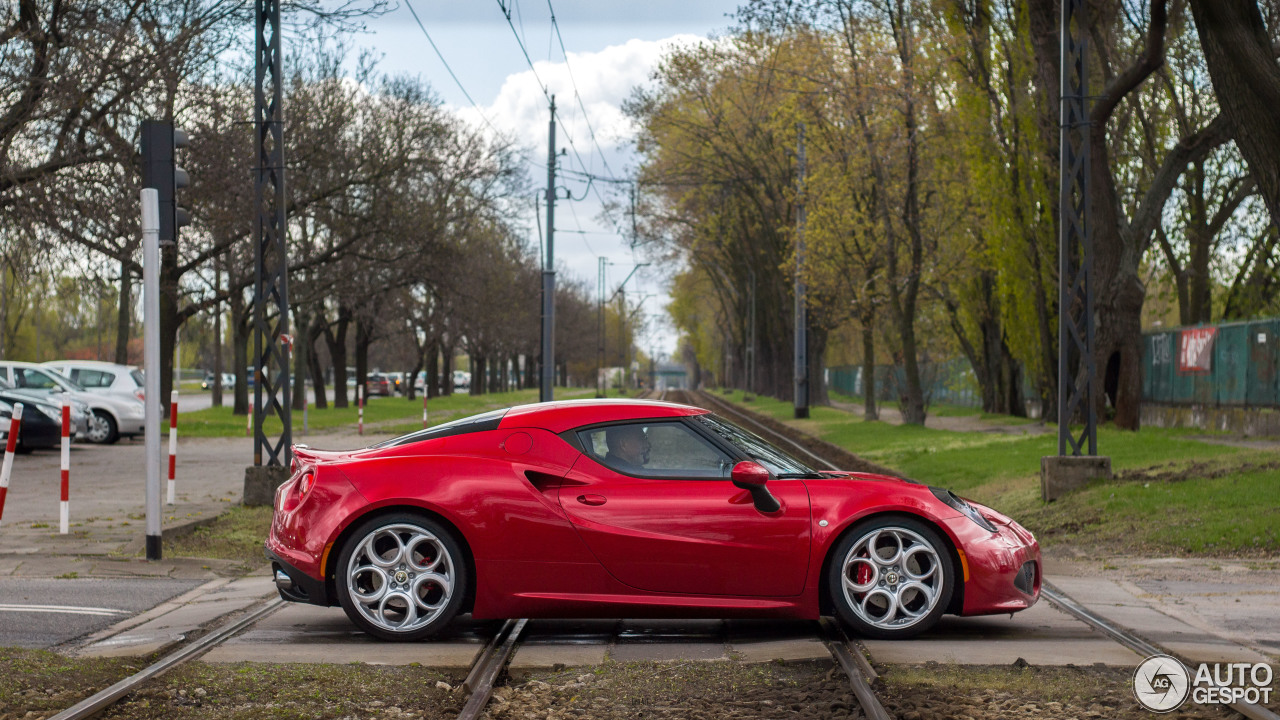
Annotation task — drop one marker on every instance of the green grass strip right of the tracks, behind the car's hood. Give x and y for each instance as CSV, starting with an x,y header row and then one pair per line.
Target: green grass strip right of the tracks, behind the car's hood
x,y
1200,499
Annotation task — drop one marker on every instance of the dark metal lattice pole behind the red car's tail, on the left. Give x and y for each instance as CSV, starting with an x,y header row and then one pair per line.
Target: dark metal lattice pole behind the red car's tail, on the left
x,y
272,397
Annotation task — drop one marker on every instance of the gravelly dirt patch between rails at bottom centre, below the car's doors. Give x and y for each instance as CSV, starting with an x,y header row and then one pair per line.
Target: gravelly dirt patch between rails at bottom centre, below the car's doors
x,y
685,691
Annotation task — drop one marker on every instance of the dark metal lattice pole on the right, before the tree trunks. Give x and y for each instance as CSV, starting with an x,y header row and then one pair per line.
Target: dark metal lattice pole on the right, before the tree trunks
x,y
1077,377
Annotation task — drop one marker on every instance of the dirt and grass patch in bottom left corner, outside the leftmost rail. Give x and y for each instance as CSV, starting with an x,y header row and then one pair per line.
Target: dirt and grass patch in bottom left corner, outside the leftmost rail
x,y
45,683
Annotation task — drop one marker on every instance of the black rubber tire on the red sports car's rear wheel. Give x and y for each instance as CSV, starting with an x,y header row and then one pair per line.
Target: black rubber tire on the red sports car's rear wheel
x,y
459,575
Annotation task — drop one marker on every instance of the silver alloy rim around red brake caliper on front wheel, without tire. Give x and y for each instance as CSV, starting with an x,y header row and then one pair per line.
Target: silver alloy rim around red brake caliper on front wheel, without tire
x,y
893,578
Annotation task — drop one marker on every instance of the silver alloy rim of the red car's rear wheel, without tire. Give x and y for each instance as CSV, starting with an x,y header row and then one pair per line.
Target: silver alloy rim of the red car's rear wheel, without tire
x,y
400,578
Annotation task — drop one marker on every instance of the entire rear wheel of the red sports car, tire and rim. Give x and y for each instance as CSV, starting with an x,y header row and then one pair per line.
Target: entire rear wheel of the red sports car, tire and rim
x,y
401,577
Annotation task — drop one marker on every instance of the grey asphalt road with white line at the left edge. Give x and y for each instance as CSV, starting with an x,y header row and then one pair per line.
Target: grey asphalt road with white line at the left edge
x,y
45,613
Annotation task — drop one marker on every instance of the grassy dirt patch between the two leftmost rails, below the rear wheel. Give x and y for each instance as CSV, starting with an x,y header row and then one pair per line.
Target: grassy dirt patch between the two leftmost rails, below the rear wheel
x,y
253,691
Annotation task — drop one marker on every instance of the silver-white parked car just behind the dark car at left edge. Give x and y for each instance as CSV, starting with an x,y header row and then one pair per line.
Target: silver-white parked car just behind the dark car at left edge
x,y
97,418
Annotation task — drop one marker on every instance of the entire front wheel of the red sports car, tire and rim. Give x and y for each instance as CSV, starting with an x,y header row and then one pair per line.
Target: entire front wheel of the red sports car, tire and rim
x,y
892,578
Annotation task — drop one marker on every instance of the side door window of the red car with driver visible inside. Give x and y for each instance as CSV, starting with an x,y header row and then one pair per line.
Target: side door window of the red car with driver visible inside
x,y
656,450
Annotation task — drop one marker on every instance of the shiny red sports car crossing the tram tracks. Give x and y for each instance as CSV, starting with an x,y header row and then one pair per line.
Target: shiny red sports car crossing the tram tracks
x,y
630,509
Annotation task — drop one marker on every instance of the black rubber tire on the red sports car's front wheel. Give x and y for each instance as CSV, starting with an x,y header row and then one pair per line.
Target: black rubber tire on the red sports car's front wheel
x,y
902,530
